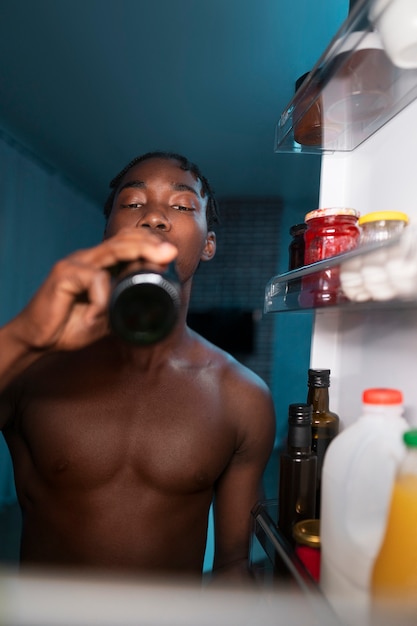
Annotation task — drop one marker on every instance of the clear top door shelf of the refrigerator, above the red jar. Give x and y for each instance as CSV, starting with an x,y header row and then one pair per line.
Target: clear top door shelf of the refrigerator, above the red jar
x,y
351,92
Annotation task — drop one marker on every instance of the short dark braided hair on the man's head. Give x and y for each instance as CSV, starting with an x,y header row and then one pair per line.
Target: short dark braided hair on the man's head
x,y
212,210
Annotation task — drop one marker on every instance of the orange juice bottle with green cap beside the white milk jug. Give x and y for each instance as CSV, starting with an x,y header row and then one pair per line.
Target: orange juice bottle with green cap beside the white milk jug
x,y
395,570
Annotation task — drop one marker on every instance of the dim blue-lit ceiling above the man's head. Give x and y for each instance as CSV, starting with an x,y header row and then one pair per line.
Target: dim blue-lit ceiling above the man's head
x,y
87,85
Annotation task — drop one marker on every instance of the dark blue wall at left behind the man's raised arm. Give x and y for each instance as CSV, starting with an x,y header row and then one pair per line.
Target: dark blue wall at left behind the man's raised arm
x,y
42,218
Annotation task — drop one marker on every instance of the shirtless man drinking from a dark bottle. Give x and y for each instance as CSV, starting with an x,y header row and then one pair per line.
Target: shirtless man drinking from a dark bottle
x,y
119,450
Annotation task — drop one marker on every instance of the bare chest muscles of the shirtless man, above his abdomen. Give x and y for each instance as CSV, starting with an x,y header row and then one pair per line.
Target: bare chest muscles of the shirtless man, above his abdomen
x,y
173,434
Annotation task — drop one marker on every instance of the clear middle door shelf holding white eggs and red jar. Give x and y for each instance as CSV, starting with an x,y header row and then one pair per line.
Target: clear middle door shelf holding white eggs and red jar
x,y
381,275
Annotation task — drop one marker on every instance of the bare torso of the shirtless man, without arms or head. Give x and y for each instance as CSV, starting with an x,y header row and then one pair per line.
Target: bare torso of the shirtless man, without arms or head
x,y
115,467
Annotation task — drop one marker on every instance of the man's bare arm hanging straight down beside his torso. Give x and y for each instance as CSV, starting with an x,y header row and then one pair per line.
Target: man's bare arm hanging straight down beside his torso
x,y
239,488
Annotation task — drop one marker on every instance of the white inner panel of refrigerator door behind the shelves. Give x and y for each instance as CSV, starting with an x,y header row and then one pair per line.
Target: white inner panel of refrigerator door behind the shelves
x,y
371,348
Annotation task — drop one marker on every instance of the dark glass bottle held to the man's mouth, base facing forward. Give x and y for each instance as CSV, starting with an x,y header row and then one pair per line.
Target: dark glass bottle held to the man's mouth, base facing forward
x,y
144,304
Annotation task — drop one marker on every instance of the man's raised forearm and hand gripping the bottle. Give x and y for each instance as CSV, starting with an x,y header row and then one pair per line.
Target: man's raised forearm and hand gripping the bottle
x,y
69,310
